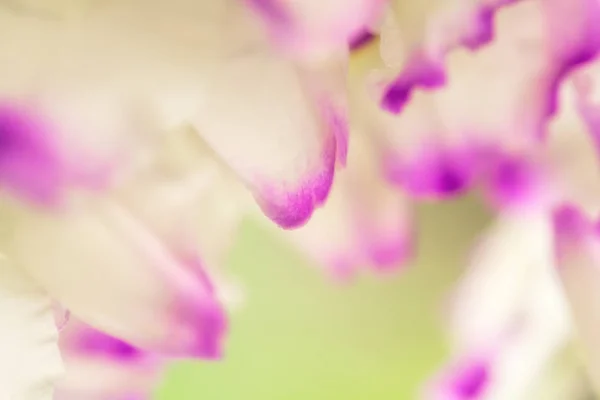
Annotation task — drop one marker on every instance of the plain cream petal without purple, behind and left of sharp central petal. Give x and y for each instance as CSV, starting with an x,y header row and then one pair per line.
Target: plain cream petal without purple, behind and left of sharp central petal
x,y
187,198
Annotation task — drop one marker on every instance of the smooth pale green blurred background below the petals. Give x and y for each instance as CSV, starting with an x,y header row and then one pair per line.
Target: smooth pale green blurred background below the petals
x,y
302,335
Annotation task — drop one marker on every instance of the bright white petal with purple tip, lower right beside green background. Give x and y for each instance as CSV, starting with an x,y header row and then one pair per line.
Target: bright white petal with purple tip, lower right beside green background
x,y
508,320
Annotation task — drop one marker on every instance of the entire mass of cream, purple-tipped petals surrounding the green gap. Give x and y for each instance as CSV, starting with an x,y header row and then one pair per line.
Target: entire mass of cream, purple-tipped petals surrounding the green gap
x,y
132,129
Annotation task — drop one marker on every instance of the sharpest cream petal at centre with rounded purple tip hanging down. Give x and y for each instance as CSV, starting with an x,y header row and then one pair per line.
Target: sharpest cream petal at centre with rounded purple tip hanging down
x,y
275,139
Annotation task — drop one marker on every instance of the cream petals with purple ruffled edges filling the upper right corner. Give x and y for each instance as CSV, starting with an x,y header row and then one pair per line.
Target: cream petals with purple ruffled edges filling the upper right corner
x,y
473,87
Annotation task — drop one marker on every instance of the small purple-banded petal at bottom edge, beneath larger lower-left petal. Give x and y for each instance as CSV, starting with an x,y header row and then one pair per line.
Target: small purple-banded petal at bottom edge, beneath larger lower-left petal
x,y
102,367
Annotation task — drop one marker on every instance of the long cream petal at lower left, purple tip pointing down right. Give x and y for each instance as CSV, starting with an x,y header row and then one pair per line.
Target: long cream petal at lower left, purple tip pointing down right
x,y
109,269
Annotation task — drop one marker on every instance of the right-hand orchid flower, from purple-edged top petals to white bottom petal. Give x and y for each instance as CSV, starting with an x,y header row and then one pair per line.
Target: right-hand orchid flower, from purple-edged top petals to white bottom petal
x,y
499,94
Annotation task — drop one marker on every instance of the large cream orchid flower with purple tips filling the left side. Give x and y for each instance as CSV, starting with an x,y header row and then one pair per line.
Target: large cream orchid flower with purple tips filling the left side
x,y
101,212
